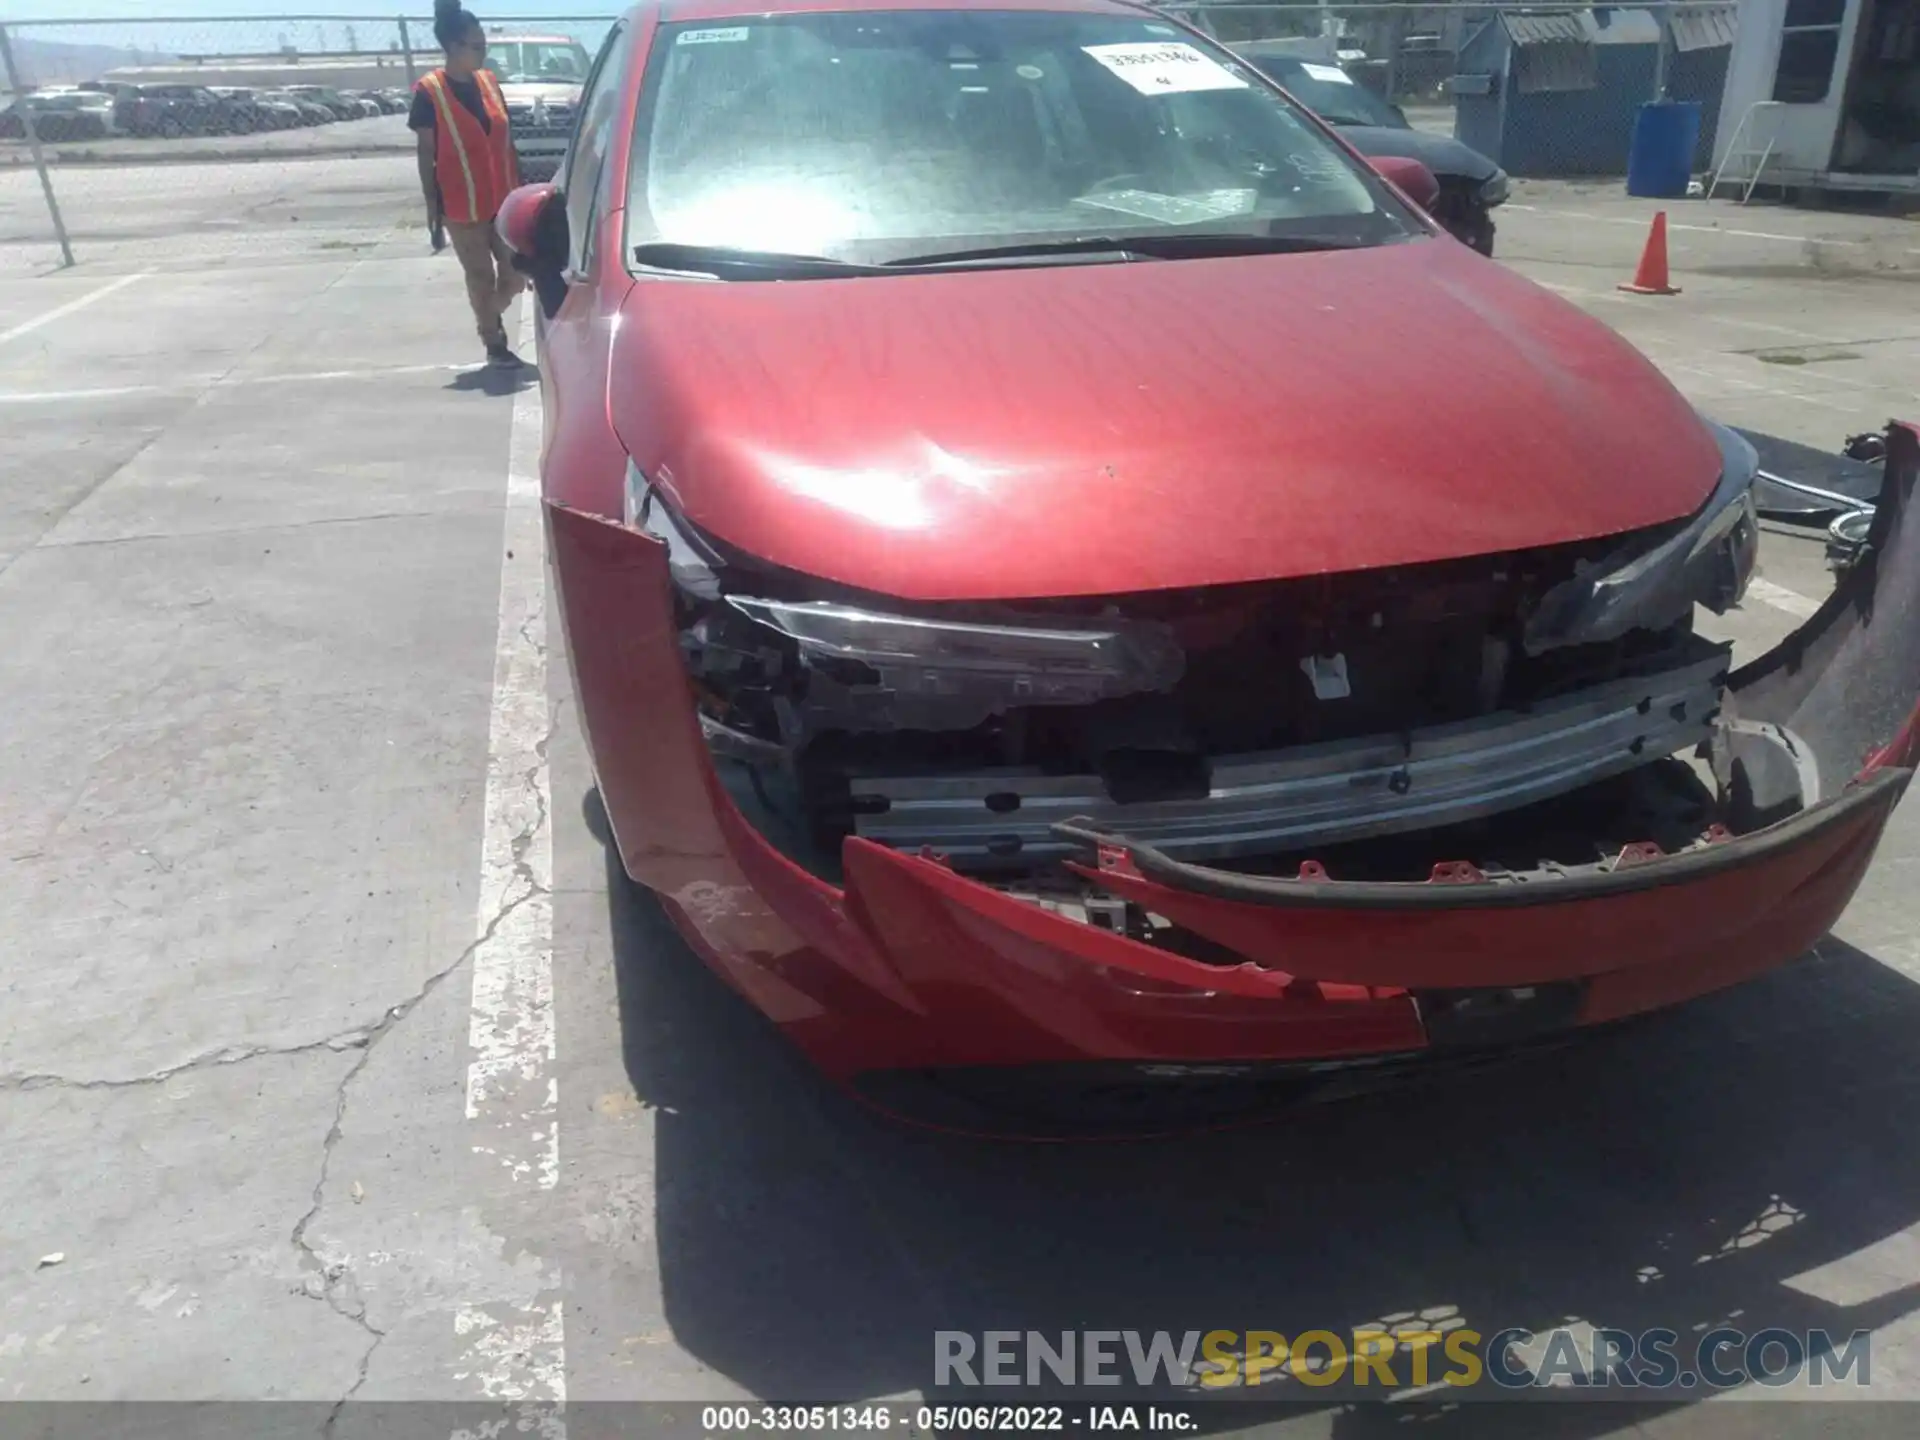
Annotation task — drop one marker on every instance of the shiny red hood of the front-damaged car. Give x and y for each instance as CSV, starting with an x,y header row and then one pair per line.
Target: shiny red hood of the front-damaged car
x,y
1109,429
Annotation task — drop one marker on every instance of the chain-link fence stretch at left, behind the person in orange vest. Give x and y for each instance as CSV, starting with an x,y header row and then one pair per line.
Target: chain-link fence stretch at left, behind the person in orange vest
x,y
189,143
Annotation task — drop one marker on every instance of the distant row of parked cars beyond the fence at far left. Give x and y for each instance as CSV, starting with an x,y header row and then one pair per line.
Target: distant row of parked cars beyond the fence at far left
x,y
99,110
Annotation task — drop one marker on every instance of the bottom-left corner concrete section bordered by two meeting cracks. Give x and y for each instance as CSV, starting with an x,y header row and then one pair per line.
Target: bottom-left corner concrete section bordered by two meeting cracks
x,y
178,1282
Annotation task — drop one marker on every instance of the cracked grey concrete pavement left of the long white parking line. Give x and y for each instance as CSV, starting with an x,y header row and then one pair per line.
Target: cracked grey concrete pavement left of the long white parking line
x,y
239,813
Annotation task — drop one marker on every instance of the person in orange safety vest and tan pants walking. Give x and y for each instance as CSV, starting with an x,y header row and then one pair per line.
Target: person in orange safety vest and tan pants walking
x,y
468,170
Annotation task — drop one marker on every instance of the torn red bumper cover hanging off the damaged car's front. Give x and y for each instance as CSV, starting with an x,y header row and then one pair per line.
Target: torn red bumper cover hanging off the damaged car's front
x,y
913,967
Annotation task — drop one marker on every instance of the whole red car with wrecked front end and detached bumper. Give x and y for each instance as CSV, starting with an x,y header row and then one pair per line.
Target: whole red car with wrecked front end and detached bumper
x,y
1078,588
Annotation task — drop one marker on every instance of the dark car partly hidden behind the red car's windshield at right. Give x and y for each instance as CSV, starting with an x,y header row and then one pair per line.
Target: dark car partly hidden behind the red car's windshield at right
x,y
1472,187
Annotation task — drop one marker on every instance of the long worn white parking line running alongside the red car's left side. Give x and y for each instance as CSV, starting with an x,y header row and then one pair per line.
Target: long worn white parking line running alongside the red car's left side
x,y
512,1082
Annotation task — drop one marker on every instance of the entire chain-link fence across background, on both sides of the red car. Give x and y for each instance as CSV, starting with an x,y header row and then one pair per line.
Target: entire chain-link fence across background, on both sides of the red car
x,y
126,133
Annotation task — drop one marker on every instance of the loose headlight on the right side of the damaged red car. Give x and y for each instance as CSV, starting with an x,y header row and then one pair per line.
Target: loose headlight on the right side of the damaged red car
x,y
1648,587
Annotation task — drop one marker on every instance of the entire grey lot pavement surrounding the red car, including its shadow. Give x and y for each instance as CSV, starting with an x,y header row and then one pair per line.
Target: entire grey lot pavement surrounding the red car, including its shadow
x,y
337,1061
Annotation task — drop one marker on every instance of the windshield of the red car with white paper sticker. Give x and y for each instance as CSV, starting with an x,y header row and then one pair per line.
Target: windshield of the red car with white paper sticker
x,y
882,137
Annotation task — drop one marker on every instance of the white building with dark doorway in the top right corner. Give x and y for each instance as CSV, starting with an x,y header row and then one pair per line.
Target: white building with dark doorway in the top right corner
x,y
1836,85
